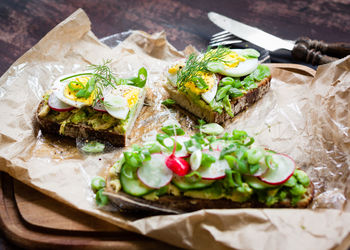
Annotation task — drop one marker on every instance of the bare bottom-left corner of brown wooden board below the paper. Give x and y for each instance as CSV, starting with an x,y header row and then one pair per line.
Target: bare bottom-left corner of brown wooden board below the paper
x,y
32,220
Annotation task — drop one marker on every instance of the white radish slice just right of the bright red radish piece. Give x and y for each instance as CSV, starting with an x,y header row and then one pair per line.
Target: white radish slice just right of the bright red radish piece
x,y
216,169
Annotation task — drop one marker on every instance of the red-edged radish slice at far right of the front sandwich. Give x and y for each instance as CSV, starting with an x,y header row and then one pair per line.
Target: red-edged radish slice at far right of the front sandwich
x,y
279,175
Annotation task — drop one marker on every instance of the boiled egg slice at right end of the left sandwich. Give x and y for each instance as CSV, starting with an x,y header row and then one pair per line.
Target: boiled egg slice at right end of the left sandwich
x,y
118,101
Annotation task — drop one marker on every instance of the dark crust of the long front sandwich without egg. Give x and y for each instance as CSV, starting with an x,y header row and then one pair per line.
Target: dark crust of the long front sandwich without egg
x,y
181,204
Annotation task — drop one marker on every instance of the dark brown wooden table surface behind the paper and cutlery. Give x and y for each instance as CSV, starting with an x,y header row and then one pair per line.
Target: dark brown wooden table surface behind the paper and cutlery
x,y
24,23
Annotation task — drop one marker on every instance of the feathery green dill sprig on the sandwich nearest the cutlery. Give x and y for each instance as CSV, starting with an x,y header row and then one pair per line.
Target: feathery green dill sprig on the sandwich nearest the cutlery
x,y
196,64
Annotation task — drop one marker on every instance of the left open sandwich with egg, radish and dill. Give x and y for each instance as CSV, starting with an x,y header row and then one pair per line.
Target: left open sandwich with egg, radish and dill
x,y
94,105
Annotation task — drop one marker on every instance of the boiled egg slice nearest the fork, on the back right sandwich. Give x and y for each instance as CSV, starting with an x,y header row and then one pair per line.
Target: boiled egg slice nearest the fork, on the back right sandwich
x,y
237,63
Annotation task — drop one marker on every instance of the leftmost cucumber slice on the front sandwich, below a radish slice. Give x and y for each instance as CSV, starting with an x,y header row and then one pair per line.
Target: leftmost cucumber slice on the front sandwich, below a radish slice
x,y
133,186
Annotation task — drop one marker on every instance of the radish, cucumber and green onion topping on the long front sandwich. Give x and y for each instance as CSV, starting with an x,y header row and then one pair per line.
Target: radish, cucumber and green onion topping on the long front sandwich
x,y
219,166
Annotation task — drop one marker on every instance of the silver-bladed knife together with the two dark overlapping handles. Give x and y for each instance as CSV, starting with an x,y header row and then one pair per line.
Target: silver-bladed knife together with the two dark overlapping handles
x,y
305,49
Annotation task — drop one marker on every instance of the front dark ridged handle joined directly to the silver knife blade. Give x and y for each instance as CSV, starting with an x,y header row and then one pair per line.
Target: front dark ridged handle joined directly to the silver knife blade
x,y
303,53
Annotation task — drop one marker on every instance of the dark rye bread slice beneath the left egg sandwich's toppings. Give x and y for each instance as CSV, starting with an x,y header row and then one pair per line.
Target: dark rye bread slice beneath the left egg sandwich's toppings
x,y
86,131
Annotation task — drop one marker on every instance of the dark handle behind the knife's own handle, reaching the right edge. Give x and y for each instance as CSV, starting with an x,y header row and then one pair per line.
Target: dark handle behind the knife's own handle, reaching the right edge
x,y
339,50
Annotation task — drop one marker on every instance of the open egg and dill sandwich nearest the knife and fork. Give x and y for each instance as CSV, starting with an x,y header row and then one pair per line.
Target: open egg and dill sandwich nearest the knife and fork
x,y
218,84
